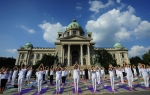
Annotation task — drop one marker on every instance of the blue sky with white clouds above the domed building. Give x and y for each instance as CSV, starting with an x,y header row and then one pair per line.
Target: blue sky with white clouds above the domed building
x,y
110,21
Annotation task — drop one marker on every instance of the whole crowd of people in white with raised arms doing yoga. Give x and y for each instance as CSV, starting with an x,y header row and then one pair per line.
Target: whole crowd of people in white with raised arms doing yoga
x,y
96,74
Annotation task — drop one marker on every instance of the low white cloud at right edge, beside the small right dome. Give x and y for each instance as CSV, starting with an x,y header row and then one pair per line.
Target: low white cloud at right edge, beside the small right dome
x,y
138,50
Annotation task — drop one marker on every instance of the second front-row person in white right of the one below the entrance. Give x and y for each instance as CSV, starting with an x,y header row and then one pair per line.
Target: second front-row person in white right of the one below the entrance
x,y
111,75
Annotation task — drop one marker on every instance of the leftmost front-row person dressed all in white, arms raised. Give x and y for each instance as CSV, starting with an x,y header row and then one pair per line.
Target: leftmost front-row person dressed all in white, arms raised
x,y
21,77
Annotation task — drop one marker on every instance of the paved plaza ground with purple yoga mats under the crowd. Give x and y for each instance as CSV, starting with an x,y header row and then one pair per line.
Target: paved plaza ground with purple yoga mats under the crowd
x,y
68,89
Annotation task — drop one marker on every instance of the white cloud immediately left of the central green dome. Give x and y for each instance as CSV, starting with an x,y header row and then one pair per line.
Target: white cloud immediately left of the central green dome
x,y
50,30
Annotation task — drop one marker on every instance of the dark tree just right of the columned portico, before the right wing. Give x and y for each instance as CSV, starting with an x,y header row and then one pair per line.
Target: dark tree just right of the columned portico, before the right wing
x,y
106,58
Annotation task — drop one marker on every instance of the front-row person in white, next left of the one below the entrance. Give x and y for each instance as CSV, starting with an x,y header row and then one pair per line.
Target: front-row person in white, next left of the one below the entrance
x,y
58,79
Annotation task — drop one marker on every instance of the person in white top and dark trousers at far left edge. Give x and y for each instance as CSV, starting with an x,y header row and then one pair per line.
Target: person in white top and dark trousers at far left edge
x,y
4,78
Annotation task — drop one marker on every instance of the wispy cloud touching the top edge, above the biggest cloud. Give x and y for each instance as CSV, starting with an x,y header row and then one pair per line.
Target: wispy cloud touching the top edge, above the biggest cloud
x,y
95,6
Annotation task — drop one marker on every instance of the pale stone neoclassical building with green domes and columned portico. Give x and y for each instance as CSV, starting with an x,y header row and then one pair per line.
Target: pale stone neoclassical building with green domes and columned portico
x,y
71,45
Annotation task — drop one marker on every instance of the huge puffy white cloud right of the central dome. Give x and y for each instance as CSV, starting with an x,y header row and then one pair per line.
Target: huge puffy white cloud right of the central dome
x,y
118,26
